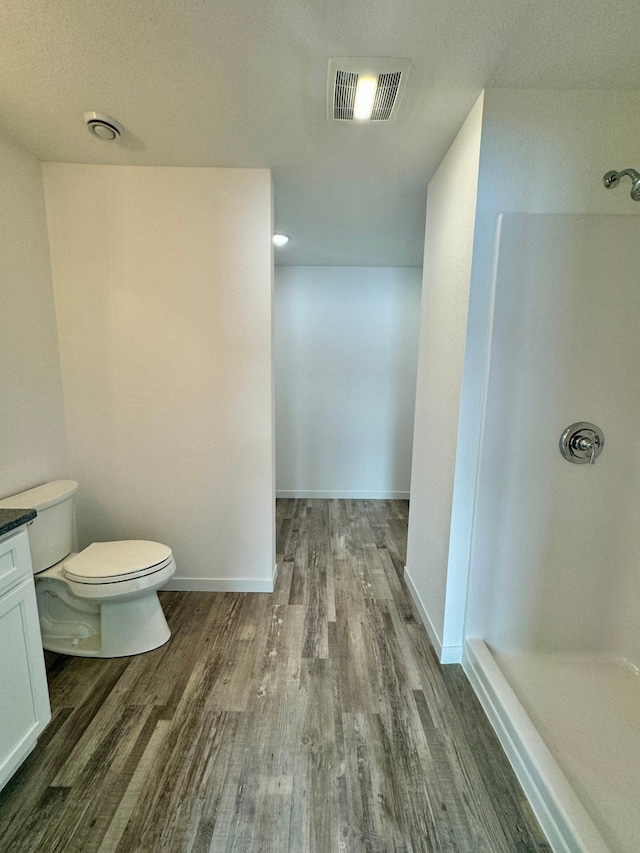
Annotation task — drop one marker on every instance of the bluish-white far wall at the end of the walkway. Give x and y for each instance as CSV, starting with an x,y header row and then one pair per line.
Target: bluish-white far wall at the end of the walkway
x,y
346,342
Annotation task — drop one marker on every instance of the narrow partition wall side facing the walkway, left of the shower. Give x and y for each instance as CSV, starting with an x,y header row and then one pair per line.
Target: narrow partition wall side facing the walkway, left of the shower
x,y
435,573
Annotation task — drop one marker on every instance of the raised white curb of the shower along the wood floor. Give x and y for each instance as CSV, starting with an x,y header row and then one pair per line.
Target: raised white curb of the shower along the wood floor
x,y
563,818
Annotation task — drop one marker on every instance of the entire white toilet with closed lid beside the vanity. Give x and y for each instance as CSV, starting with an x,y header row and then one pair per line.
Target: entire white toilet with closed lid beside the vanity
x,y
103,601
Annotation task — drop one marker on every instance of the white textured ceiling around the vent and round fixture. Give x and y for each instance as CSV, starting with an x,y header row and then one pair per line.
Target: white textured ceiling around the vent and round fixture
x,y
243,83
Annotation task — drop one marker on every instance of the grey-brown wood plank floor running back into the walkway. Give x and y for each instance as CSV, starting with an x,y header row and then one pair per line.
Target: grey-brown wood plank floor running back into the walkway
x,y
314,719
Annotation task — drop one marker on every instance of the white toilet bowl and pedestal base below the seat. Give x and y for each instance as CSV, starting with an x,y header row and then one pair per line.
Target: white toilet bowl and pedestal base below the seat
x,y
106,630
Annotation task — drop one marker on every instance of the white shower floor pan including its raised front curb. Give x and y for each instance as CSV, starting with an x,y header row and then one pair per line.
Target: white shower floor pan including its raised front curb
x,y
571,727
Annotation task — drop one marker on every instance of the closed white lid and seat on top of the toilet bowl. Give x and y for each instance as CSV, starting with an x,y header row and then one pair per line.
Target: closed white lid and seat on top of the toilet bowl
x,y
124,560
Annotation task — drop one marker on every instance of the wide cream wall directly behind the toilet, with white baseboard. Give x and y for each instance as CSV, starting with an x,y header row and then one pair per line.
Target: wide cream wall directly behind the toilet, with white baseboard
x,y
163,280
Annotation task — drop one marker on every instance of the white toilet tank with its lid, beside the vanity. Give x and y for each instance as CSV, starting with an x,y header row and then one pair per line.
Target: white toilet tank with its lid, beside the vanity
x,y
51,532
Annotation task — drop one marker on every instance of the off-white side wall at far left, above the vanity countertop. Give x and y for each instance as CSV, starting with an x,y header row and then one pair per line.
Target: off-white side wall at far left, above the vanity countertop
x,y
33,447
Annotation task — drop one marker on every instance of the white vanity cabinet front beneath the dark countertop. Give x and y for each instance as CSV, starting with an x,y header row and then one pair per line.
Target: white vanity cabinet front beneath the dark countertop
x,y
24,697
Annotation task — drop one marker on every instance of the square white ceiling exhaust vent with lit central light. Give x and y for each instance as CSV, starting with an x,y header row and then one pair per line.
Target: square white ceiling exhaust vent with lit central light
x,y
365,89
